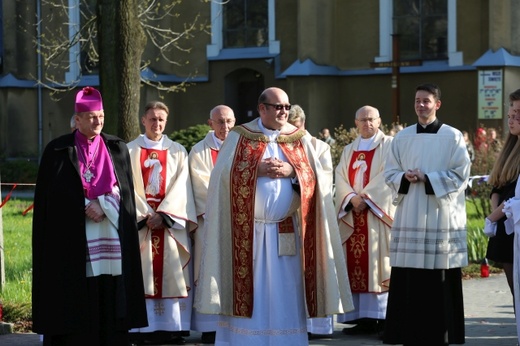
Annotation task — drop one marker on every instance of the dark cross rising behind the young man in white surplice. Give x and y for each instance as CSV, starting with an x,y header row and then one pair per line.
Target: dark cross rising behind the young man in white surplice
x,y
395,64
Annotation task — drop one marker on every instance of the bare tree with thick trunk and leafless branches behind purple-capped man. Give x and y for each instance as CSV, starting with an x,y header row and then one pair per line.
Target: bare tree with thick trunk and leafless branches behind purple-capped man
x,y
109,37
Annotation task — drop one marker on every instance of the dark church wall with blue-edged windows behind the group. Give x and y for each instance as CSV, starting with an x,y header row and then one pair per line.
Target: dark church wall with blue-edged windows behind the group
x,y
331,56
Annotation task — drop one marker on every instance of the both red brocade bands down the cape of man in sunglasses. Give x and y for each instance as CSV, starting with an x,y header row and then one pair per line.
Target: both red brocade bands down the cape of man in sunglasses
x,y
244,173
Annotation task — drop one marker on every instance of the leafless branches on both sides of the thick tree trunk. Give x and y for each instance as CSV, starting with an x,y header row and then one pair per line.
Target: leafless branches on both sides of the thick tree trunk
x,y
68,37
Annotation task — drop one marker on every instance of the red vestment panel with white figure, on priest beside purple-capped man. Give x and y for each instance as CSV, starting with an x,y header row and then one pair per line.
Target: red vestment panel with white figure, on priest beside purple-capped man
x,y
153,167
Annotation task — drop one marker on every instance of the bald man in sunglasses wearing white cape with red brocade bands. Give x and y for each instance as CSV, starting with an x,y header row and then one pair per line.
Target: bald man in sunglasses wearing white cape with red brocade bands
x,y
272,254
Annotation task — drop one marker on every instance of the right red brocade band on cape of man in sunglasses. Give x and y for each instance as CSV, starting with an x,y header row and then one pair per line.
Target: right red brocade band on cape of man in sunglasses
x,y
295,153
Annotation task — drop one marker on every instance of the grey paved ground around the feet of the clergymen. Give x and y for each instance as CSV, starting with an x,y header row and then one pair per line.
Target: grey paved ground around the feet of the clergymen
x,y
488,309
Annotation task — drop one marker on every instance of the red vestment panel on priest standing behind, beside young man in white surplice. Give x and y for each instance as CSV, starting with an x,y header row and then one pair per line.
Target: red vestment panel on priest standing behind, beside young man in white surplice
x,y
357,246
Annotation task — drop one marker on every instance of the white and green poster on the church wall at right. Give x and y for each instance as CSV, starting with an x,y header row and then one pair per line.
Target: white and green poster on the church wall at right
x,y
490,94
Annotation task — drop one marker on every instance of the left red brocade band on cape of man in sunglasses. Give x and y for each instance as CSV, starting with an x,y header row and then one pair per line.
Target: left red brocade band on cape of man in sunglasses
x,y
243,184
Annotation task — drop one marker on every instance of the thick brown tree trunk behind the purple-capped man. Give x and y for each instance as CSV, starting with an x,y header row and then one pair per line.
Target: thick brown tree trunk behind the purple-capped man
x,y
121,45
